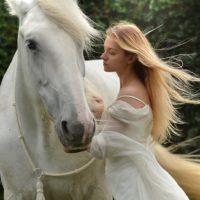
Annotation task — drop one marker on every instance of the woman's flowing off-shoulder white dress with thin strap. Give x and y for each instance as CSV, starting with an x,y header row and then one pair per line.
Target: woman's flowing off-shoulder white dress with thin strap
x,y
132,170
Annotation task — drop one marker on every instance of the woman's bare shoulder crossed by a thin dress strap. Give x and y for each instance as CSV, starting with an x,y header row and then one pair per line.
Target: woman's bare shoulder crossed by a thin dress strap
x,y
140,94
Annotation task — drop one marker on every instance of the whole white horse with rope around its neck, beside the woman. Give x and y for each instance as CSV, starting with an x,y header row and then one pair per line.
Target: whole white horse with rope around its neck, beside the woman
x,y
43,107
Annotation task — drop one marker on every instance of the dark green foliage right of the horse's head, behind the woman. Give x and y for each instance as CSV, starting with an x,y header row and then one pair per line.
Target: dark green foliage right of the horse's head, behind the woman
x,y
180,23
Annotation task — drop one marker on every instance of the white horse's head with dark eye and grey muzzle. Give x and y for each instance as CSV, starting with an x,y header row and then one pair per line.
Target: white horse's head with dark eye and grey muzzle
x,y
51,39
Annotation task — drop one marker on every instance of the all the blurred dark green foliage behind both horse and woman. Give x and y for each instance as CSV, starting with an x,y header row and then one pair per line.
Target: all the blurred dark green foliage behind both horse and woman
x,y
179,20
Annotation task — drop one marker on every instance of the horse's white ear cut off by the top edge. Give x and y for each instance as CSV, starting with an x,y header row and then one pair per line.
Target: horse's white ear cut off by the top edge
x,y
19,7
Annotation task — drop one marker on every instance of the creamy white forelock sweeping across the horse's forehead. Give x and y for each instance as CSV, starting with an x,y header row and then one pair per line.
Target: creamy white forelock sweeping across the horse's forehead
x,y
67,15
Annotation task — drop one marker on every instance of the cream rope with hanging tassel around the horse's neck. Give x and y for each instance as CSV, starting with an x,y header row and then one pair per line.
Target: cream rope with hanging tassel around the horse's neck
x,y
39,173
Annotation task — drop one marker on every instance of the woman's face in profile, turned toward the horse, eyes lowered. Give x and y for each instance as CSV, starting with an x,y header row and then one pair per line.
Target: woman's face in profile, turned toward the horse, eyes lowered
x,y
114,58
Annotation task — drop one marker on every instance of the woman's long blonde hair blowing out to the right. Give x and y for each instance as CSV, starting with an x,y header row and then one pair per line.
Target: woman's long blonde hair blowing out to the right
x,y
167,86
